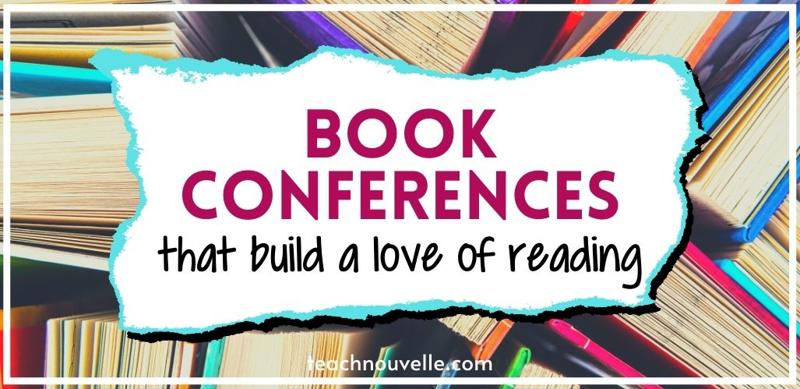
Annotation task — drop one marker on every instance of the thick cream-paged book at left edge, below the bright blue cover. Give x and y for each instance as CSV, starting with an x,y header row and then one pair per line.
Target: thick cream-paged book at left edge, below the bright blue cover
x,y
87,186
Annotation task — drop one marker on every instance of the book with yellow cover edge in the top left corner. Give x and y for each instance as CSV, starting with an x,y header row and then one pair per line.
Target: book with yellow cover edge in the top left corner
x,y
71,38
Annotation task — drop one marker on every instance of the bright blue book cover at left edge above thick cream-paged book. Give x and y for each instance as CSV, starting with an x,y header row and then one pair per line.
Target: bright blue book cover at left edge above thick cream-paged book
x,y
53,80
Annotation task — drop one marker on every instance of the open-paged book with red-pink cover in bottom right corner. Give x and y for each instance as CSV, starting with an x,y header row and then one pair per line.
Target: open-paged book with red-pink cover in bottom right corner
x,y
702,322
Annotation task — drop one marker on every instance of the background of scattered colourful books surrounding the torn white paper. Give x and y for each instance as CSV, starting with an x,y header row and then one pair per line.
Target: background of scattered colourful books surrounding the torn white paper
x,y
723,307
